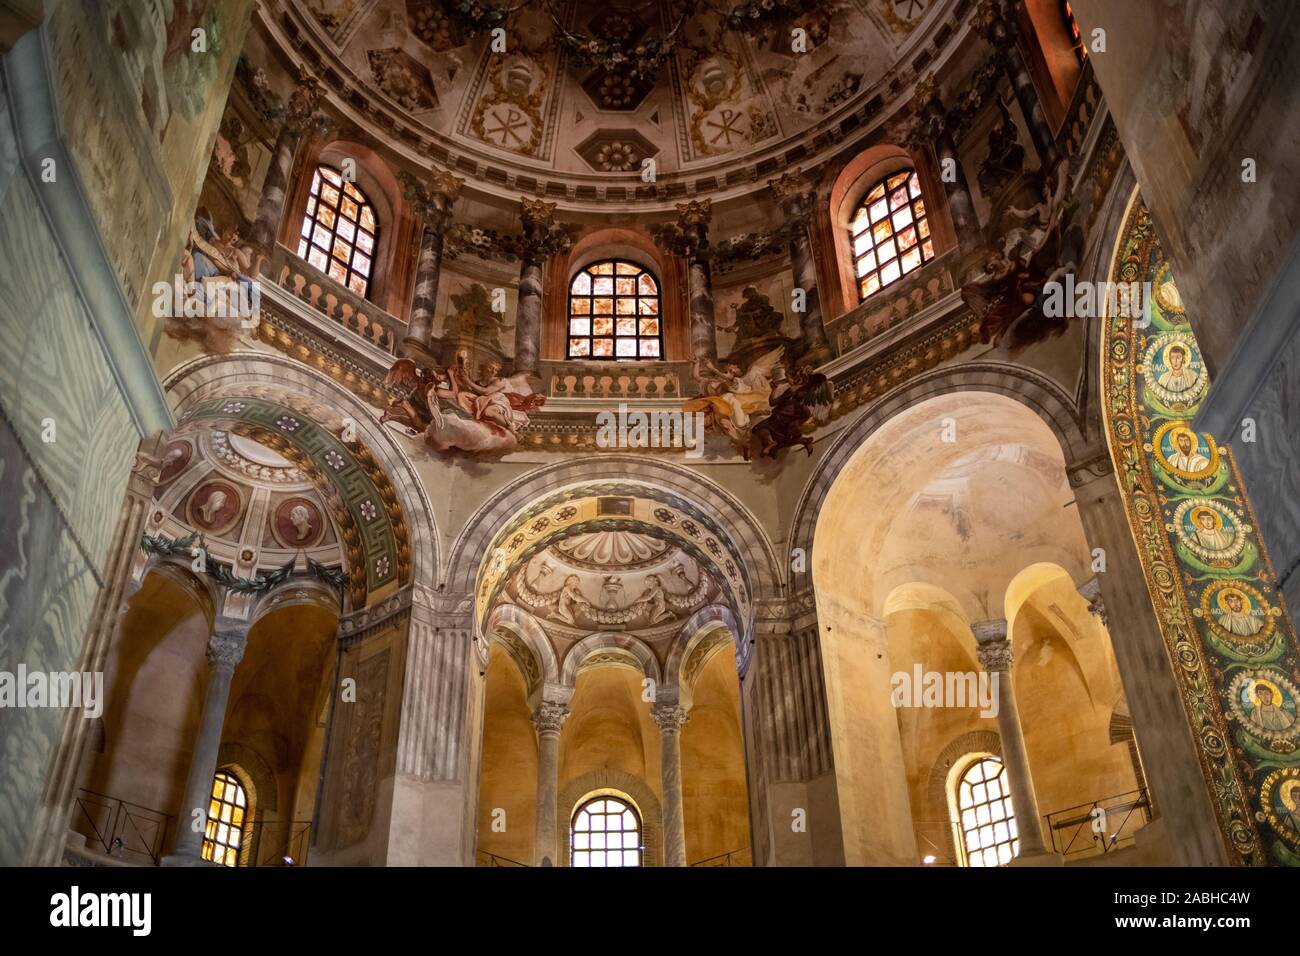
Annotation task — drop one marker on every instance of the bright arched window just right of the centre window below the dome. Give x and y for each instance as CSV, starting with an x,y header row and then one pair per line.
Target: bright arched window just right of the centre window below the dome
x,y
890,233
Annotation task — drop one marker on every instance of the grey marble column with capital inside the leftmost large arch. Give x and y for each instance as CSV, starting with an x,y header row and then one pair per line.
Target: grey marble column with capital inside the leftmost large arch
x,y
226,650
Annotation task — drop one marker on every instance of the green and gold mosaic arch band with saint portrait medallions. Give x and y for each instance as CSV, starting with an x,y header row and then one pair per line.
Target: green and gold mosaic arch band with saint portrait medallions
x,y
1210,577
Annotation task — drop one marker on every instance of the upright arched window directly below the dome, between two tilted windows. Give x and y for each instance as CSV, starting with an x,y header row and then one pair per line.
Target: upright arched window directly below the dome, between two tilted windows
x,y
614,313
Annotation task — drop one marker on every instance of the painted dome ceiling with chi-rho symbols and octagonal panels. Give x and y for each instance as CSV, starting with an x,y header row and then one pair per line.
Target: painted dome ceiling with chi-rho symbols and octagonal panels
x,y
596,89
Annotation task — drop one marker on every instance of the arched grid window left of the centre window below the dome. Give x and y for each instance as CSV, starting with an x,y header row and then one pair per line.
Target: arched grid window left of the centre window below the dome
x,y
340,233
